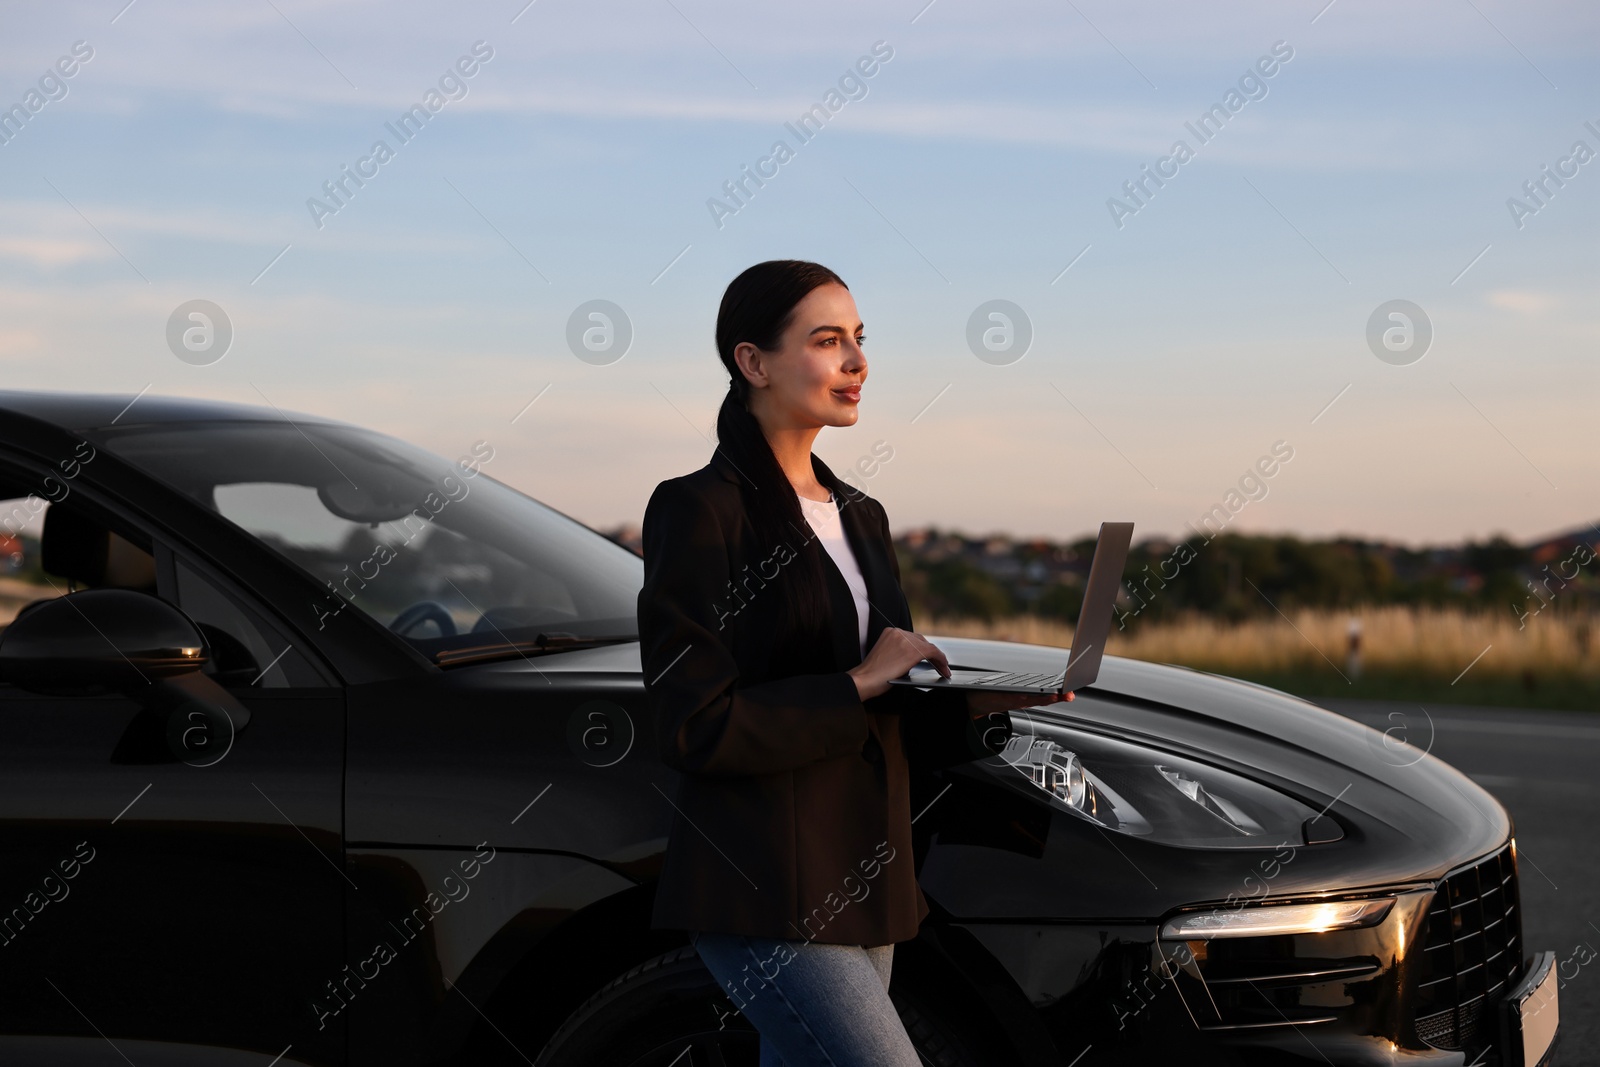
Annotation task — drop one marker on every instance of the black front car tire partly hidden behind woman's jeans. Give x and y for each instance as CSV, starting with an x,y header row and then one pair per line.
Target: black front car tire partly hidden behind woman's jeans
x,y
650,1015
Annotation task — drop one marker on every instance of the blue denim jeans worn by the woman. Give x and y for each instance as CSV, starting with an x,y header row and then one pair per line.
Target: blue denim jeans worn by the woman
x,y
814,1005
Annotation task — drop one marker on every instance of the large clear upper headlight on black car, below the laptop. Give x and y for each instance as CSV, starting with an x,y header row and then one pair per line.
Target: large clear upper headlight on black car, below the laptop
x,y
1145,793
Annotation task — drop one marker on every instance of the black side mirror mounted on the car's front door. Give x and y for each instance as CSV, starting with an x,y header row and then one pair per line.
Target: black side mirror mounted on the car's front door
x,y
118,641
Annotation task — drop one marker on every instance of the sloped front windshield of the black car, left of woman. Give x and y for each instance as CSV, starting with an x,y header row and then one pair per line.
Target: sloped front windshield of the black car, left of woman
x,y
436,551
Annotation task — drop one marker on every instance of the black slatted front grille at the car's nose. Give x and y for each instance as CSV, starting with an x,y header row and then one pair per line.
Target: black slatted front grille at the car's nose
x,y
1473,953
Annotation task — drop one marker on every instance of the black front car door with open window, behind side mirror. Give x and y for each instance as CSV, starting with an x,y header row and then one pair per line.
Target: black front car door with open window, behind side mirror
x,y
182,911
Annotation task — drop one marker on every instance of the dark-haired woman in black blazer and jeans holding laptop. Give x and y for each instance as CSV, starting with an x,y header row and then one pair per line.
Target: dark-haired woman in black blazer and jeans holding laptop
x,y
772,621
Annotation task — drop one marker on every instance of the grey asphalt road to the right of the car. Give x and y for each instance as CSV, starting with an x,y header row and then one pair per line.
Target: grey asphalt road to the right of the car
x,y
1545,767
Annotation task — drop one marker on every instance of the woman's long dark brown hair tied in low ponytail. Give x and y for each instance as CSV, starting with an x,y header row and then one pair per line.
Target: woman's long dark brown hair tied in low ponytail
x,y
759,308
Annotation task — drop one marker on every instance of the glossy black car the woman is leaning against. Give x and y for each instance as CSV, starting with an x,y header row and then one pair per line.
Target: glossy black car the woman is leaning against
x,y
321,749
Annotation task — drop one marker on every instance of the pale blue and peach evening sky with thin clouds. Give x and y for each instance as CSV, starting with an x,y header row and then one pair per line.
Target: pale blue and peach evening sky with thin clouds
x,y
1177,335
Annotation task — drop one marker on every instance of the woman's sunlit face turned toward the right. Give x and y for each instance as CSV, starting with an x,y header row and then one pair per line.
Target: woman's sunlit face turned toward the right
x,y
815,375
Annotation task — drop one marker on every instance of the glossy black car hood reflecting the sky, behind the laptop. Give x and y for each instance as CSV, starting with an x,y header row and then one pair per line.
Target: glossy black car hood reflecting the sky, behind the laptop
x,y
1409,817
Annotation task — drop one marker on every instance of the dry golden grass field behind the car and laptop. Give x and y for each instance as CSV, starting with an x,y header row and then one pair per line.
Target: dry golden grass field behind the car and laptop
x,y
1406,653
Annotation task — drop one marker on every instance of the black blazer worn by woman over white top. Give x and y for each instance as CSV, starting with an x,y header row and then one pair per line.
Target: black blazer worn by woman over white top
x,y
793,807
